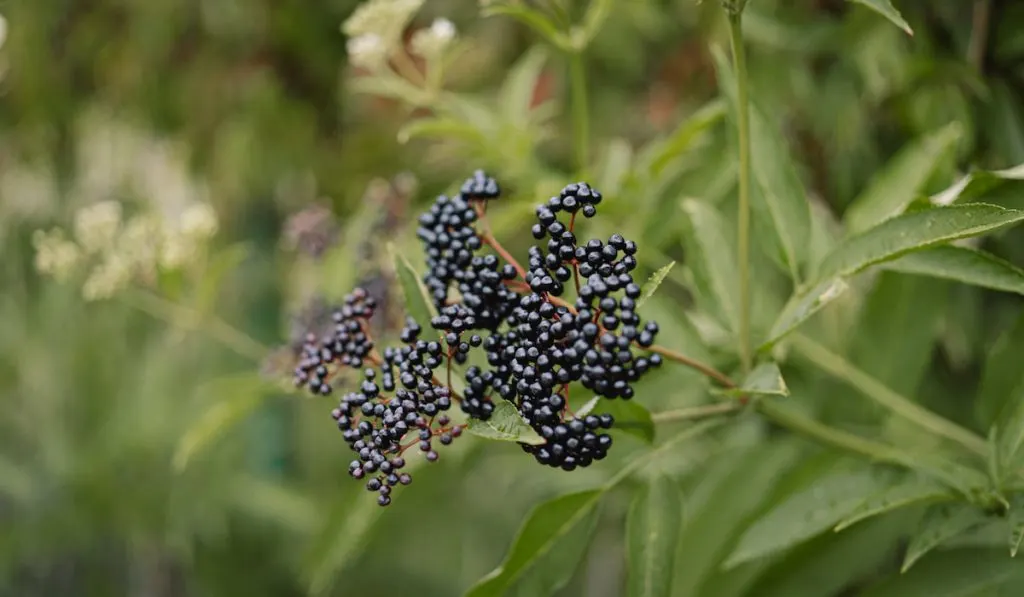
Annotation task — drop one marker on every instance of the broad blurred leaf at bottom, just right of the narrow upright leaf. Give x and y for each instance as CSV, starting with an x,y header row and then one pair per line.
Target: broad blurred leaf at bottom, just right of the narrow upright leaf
x,y
727,497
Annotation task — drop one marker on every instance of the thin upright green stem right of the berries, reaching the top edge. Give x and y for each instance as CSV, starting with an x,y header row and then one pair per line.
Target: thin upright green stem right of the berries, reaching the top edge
x,y
744,218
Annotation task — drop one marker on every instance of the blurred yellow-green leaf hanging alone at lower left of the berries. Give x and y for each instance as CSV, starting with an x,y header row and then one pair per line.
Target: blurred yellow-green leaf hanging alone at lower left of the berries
x,y
232,400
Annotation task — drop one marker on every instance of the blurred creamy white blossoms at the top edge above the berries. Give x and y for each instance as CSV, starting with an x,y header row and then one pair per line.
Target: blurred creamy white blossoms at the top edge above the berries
x,y
375,31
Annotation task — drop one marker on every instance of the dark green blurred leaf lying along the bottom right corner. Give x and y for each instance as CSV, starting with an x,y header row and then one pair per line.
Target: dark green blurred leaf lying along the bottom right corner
x,y
962,573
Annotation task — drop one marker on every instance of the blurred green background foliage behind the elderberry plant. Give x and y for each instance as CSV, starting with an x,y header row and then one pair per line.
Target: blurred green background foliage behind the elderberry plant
x,y
249,105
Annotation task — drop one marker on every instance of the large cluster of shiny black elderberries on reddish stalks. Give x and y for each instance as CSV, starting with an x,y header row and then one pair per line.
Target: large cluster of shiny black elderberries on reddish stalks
x,y
537,343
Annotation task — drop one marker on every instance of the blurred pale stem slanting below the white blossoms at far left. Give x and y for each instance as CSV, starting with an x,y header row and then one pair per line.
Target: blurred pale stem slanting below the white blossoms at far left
x,y
190,320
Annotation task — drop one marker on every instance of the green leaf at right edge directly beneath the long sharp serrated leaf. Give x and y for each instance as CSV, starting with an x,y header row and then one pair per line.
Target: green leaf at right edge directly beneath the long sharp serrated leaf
x,y
964,266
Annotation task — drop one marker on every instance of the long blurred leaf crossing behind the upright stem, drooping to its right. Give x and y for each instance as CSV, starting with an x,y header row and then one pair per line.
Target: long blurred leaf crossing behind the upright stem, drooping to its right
x,y
782,200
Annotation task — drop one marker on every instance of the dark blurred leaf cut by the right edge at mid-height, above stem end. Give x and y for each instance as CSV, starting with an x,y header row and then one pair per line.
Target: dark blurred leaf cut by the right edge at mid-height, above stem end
x,y
1002,376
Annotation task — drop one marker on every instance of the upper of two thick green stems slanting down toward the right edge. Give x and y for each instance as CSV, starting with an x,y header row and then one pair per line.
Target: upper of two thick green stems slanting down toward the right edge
x,y
899,405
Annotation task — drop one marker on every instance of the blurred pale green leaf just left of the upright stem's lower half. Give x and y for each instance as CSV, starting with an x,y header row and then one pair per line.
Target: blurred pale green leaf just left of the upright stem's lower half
x,y
712,262
